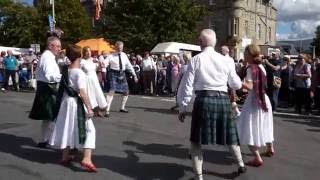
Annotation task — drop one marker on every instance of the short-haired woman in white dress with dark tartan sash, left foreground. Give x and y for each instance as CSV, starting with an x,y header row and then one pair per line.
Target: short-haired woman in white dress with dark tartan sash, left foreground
x,y
74,127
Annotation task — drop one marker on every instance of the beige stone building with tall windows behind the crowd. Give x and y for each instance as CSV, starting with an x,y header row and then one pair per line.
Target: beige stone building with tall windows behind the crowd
x,y
238,23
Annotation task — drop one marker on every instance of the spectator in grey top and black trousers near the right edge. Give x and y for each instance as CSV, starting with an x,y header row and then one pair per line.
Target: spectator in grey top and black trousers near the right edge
x,y
302,84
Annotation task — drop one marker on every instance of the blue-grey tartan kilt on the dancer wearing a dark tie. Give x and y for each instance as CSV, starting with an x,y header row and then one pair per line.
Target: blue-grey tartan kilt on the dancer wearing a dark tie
x,y
117,81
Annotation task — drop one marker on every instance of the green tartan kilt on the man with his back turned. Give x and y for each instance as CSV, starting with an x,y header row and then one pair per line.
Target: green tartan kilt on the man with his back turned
x,y
212,121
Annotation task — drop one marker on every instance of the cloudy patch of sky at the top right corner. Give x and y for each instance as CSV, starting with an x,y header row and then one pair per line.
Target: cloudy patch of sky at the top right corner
x,y
303,16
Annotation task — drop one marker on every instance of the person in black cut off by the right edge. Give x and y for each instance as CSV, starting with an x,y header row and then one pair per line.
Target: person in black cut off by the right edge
x,y
315,85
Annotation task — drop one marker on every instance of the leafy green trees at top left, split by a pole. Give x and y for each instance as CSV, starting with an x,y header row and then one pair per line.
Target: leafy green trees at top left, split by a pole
x,y
22,25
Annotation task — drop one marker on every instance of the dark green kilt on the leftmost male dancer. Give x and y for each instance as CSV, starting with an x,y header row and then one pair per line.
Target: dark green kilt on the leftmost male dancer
x,y
44,104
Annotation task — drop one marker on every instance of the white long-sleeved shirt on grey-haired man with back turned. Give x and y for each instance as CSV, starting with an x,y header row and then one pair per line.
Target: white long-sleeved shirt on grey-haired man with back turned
x,y
207,71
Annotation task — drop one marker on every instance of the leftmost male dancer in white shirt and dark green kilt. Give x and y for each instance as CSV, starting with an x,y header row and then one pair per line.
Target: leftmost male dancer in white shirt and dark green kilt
x,y
47,76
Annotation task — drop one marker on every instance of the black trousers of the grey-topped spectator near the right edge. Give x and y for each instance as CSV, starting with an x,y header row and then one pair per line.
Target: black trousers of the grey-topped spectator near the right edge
x,y
302,96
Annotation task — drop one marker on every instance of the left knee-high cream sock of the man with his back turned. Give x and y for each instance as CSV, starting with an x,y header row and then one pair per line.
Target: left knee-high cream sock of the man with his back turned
x,y
197,159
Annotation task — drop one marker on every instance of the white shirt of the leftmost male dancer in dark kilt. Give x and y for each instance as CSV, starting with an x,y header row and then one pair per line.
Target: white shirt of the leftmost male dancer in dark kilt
x,y
48,69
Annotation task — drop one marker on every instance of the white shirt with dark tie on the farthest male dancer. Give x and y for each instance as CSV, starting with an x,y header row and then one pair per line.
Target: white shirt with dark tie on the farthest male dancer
x,y
113,62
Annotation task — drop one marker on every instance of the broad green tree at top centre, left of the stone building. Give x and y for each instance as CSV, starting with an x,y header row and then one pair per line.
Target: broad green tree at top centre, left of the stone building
x,y
141,24
